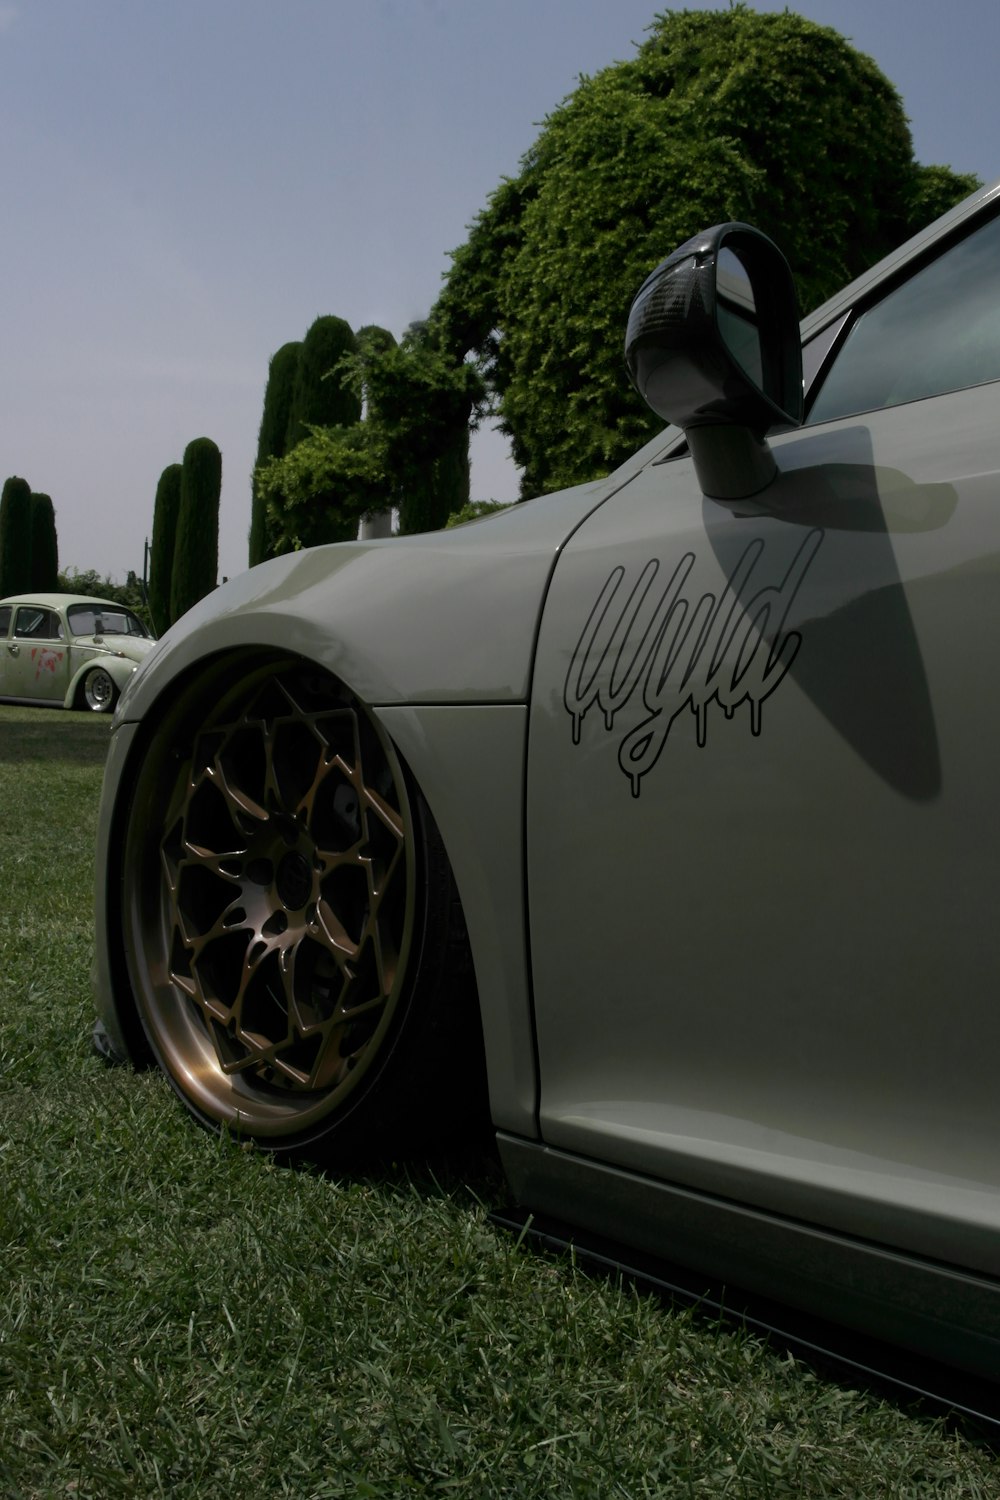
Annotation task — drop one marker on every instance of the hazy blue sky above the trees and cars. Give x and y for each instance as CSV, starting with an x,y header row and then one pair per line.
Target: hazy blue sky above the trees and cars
x,y
188,184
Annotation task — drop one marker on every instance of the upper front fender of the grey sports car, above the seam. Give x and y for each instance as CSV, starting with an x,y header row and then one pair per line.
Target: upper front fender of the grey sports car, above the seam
x,y
445,617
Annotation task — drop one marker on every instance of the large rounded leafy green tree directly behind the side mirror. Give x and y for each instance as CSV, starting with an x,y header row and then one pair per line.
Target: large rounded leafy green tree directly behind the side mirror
x,y
728,115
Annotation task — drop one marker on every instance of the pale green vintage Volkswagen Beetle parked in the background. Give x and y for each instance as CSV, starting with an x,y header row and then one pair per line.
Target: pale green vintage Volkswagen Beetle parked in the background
x,y
68,649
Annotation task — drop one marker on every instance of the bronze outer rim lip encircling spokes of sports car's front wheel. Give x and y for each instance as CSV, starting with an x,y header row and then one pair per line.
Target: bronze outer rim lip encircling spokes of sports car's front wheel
x,y
220,1100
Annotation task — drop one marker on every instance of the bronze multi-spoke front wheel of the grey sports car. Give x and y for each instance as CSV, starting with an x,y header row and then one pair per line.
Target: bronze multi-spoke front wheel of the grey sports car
x,y
278,919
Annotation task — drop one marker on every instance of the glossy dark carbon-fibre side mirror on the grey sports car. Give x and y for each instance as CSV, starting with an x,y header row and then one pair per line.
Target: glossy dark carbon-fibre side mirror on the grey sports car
x,y
713,346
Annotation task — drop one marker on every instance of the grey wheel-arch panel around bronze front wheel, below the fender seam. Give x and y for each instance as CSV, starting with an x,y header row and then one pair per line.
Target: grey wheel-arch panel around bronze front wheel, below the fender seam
x,y
467,761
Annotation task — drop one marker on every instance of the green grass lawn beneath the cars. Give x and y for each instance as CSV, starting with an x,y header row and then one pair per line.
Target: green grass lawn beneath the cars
x,y
182,1318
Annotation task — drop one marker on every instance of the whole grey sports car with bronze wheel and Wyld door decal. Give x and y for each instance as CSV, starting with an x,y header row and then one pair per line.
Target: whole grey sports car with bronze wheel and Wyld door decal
x,y
675,796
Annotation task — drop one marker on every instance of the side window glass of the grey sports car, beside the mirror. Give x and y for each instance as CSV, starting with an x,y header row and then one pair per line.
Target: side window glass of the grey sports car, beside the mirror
x,y
938,332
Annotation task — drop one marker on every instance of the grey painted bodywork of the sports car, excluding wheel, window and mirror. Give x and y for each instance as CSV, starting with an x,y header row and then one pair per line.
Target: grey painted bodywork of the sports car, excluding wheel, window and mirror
x,y
717,787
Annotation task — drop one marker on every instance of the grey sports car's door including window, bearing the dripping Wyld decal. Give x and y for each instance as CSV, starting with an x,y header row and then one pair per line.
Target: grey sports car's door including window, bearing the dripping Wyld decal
x,y
762,802
